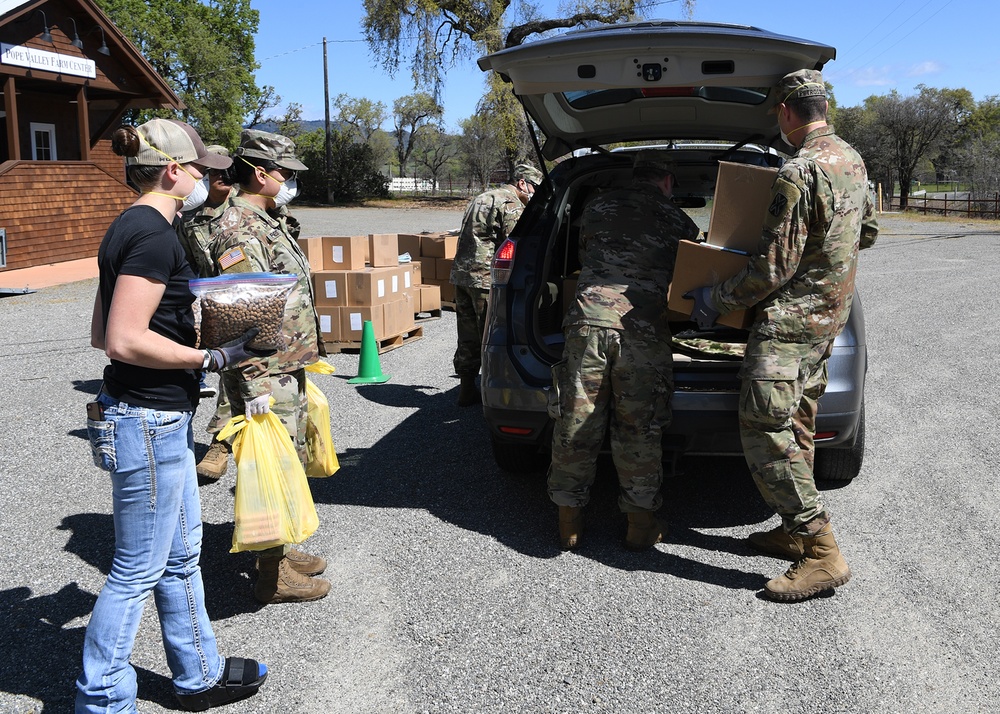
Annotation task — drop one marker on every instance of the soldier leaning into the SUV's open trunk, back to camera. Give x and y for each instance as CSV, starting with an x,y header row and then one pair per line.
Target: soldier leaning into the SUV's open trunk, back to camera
x,y
617,365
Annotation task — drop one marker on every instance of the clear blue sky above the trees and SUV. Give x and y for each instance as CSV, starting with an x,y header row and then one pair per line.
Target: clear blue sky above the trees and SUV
x,y
881,45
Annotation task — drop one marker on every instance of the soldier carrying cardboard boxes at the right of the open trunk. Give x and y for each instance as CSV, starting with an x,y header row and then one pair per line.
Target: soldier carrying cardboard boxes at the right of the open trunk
x,y
802,283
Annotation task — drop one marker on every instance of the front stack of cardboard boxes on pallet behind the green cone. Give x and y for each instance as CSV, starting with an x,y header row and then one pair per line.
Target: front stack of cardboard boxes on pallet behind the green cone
x,y
358,279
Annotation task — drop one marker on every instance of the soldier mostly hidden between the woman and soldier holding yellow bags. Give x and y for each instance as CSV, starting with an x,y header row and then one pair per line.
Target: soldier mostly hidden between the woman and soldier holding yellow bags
x,y
195,233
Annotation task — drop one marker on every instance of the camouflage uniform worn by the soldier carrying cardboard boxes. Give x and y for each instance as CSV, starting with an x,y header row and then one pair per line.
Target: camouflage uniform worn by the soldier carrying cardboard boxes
x,y
802,283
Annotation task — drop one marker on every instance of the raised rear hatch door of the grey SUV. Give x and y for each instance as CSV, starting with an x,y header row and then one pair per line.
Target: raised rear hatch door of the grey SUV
x,y
653,80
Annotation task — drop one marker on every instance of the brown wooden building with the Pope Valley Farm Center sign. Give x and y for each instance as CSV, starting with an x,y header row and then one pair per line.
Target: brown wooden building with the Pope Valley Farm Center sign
x,y
67,76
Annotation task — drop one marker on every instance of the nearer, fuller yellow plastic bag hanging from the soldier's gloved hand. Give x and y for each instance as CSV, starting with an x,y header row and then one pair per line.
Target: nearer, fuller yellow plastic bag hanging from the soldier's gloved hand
x,y
273,503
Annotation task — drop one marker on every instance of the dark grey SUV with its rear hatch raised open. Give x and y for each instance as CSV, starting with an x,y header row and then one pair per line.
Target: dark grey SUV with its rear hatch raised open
x,y
699,92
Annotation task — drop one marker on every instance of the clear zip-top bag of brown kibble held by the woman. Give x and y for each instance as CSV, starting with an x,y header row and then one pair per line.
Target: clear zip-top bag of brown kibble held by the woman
x,y
226,306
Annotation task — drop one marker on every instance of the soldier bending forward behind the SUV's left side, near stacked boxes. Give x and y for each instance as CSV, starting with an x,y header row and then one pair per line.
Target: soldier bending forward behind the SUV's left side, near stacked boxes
x,y
488,220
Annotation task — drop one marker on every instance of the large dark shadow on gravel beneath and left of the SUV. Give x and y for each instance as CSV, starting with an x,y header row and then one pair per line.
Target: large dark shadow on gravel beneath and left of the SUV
x,y
439,459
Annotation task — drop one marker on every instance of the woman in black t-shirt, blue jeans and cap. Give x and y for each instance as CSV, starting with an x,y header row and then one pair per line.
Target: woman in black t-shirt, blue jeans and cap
x,y
140,431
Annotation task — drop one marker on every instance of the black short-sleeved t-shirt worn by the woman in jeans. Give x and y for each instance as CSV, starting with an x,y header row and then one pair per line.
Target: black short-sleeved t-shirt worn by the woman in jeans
x,y
140,242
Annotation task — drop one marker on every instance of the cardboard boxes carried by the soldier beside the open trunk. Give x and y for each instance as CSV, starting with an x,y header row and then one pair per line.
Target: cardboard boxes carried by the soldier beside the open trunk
x,y
740,204
